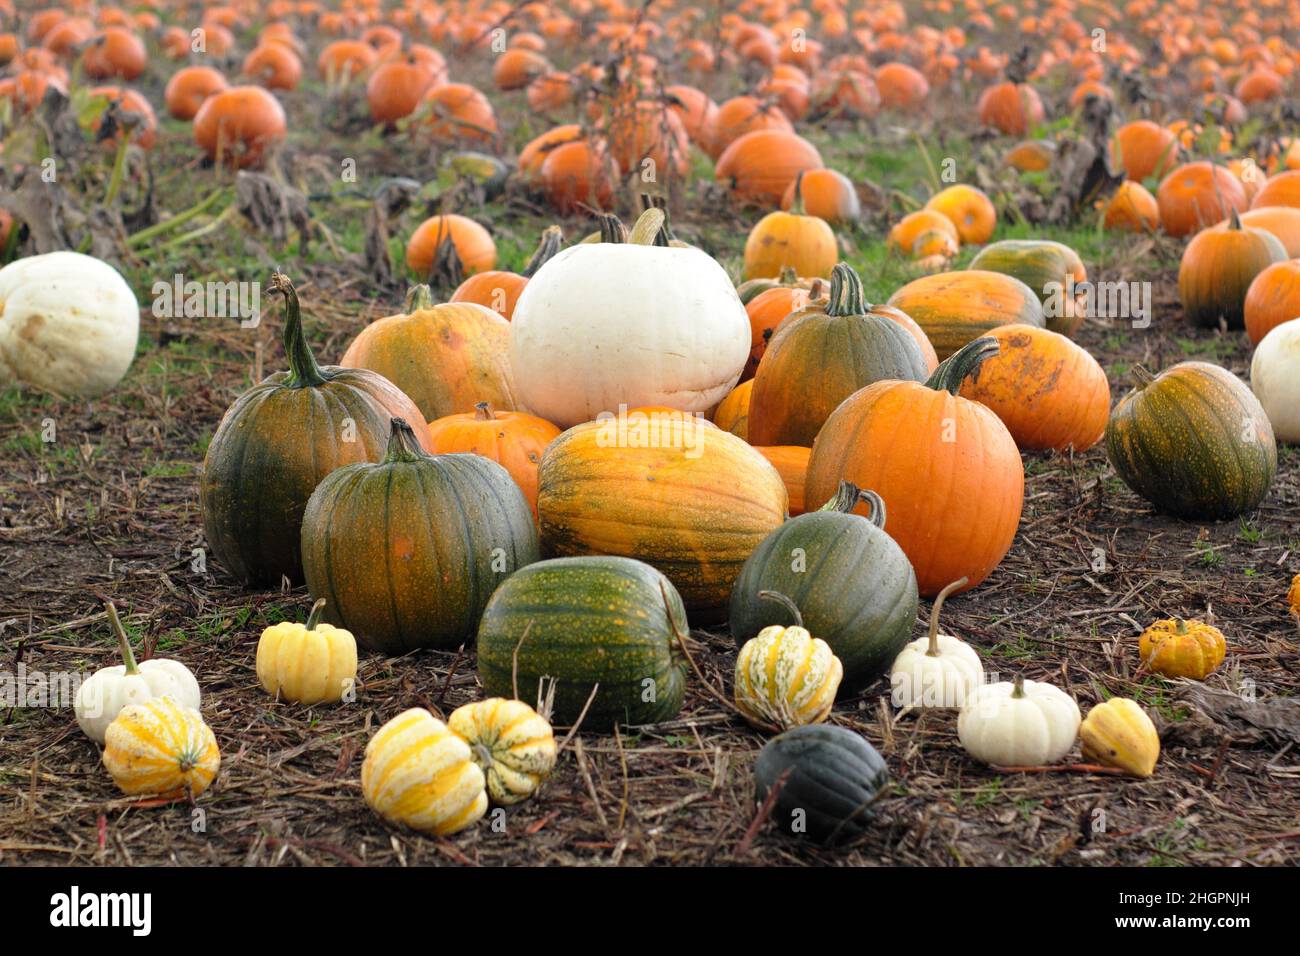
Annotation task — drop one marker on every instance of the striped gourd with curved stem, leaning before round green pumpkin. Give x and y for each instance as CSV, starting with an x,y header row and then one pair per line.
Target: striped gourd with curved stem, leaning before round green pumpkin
x,y
786,677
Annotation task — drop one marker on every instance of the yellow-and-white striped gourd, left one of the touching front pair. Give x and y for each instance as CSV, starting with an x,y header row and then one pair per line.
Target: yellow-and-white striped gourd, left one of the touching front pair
x,y
418,773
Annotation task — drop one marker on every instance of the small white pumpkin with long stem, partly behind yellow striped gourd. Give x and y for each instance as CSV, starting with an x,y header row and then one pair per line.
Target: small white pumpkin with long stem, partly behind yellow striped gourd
x,y
106,693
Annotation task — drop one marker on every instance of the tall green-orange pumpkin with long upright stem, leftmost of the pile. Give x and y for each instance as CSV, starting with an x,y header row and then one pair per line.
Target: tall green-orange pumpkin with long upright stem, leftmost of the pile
x,y
275,445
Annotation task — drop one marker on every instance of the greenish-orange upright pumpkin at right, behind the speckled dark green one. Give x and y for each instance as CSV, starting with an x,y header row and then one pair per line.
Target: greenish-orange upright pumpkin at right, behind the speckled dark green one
x,y
1217,270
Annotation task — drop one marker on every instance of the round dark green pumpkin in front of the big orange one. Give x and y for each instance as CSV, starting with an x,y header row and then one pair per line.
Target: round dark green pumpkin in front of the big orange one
x,y
852,583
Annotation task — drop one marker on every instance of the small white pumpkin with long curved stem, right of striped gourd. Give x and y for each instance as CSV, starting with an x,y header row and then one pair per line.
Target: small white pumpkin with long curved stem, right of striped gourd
x,y
939,671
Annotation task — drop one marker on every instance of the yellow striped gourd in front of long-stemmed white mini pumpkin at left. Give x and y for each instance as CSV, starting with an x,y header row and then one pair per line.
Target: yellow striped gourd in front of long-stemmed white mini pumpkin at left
x,y
162,749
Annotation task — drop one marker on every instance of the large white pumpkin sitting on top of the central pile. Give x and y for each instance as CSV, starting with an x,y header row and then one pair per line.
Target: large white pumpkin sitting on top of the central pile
x,y
606,325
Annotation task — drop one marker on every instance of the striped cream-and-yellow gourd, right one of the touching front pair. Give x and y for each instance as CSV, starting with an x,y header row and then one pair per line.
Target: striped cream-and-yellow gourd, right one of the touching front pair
x,y
510,742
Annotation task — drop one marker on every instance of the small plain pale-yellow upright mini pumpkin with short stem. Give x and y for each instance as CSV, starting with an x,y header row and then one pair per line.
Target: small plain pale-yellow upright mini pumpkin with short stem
x,y
307,664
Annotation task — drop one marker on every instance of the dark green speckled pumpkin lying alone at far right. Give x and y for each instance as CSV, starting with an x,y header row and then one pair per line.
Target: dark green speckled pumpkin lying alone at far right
x,y
1194,442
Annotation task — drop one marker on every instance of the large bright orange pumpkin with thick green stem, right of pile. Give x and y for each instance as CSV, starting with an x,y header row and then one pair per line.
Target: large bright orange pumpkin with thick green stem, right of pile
x,y
947,469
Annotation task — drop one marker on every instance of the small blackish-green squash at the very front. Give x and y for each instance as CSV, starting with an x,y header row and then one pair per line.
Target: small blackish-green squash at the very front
x,y
829,777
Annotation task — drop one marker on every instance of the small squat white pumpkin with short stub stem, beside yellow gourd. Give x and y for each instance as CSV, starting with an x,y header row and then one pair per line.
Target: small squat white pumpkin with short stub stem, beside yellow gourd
x,y
1021,724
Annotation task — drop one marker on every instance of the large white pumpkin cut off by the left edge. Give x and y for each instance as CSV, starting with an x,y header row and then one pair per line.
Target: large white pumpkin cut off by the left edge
x,y
68,325
